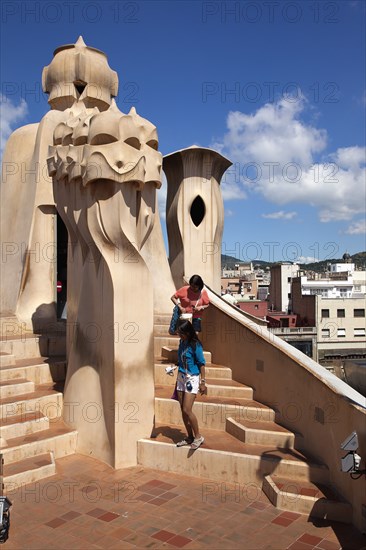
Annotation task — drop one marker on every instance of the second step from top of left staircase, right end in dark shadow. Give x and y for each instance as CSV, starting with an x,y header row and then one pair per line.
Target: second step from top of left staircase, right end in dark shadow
x,y
39,370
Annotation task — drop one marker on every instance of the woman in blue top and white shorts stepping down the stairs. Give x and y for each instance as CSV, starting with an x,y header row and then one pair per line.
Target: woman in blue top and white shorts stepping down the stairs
x,y
190,381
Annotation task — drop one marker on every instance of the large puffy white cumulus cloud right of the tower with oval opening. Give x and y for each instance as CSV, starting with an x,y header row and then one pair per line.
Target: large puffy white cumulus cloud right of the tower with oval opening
x,y
276,154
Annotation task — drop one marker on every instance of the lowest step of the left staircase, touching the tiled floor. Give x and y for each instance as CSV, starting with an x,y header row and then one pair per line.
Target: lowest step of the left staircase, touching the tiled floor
x,y
27,471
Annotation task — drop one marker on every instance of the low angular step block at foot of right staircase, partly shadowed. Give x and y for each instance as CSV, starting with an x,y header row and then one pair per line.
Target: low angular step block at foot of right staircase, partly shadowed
x,y
305,497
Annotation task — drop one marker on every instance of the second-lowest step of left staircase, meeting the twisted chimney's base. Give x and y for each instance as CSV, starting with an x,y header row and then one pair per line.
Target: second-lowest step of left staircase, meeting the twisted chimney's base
x,y
59,439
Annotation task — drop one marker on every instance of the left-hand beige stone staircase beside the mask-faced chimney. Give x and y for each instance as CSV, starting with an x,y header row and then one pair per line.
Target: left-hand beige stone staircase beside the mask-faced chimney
x,y
32,433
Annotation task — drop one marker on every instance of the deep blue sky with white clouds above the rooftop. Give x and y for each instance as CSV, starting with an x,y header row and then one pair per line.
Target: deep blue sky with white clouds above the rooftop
x,y
276,86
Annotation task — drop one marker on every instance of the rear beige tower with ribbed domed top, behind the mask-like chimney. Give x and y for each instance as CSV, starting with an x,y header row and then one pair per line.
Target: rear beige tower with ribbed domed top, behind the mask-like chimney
x,y
28,263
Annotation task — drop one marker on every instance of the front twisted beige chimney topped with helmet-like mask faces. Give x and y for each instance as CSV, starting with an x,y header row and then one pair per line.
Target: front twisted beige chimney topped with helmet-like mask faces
x,y
105,182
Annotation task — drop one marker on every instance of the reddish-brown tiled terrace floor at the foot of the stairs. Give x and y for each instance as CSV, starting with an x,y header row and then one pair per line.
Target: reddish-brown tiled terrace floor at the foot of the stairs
x,y
90,505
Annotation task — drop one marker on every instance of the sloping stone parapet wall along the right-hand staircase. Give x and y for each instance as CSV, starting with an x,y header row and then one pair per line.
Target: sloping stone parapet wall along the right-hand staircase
x,y
319,408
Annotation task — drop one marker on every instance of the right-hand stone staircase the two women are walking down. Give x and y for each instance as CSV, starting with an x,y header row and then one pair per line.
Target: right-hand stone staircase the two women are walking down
x,y
244,444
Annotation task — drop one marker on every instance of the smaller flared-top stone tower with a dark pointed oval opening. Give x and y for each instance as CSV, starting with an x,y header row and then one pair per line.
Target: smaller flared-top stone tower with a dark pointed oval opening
x,y
195,214
